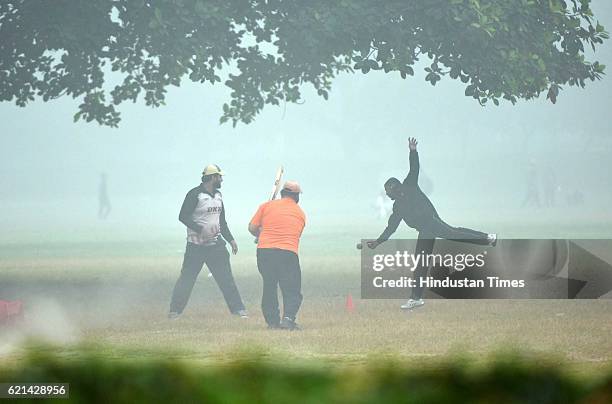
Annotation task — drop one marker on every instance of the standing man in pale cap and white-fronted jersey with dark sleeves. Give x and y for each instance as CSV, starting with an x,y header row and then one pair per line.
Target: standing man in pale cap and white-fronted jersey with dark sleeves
x,y
204,215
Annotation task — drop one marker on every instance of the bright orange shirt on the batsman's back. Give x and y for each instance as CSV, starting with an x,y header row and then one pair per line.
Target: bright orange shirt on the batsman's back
x,y
281,222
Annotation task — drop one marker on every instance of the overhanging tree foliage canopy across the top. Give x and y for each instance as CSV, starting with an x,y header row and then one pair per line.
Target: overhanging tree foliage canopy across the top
x,y
266,50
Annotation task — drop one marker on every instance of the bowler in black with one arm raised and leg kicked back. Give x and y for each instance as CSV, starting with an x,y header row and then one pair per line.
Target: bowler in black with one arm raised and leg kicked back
x,y
416,210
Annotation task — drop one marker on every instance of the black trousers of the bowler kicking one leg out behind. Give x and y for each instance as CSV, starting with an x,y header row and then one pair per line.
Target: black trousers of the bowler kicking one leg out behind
x,y
437,228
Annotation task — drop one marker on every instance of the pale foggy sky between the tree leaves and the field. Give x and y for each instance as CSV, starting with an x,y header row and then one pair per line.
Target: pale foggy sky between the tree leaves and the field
x,y
341,150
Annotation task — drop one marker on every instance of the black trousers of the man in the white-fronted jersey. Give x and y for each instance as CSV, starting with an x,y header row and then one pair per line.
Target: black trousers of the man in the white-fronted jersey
x,y
216,258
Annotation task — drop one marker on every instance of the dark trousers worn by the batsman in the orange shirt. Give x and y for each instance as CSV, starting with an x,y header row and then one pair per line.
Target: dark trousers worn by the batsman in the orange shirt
x,y
279,268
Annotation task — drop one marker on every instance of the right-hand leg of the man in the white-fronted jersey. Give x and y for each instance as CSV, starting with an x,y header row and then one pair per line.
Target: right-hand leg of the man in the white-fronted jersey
x,y
217,260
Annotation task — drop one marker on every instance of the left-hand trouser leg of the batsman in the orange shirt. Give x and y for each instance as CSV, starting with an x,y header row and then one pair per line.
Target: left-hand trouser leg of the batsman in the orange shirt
x,y
268,269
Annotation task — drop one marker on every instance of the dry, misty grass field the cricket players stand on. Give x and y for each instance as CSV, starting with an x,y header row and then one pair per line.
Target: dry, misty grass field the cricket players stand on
x,y
113,298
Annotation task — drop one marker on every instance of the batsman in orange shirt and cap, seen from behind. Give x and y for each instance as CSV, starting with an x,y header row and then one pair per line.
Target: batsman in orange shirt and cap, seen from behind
x,y
279,224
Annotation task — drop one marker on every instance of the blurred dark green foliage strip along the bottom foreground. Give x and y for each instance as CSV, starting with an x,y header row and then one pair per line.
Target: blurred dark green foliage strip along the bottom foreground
x,y
255,379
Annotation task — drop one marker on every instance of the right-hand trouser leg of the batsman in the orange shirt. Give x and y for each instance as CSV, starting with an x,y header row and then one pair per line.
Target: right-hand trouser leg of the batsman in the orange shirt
x,y
290,281
